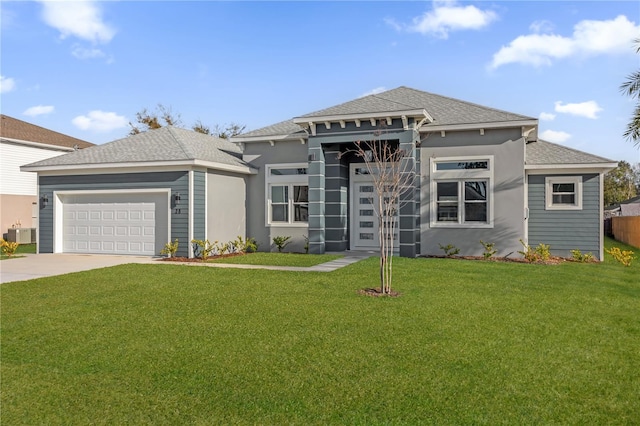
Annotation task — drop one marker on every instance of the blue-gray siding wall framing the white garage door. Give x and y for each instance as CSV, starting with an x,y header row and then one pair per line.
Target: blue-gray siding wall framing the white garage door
x,y
178,182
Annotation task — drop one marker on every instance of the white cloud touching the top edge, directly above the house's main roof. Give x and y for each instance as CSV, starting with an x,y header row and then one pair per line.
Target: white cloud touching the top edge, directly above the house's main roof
x,y
445,17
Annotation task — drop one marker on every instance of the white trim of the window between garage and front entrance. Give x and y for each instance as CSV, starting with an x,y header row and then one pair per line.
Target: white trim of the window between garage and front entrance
x,y
289,180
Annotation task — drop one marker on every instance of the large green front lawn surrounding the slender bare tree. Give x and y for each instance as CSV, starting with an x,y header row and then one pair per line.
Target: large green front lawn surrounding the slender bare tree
x,y
468,342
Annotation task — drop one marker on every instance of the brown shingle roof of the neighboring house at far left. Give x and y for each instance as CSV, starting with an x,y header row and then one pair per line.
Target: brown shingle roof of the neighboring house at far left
x,y
13,128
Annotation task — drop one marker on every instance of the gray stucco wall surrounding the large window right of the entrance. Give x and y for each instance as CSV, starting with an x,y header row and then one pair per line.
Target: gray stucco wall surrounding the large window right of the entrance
x,y
507,148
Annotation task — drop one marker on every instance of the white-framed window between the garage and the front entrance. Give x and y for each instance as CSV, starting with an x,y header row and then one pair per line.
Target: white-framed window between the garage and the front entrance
x,y
287,194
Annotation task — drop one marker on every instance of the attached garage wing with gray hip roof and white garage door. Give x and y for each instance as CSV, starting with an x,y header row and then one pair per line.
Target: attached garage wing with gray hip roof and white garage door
x,y
133,195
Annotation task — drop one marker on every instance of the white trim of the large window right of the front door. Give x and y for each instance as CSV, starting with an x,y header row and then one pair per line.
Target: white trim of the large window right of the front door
x,y
461,176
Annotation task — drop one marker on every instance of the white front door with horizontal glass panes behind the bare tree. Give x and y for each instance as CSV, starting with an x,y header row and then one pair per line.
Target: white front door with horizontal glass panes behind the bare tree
x,y
365,222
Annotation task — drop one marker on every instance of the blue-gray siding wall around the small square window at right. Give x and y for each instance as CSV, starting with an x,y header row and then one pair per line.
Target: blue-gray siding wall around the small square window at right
x,y
565,230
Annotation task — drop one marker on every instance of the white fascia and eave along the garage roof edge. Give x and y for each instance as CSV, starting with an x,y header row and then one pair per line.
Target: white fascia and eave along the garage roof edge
x,y
140,167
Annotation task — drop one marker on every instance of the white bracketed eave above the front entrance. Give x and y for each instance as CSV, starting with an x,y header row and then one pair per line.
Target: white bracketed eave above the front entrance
x,y
328,120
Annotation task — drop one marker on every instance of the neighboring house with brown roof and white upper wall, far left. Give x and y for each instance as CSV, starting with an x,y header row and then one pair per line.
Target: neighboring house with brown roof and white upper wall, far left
x,y
22,143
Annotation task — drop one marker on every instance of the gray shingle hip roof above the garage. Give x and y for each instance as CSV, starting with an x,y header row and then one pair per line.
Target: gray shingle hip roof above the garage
x,y
161,145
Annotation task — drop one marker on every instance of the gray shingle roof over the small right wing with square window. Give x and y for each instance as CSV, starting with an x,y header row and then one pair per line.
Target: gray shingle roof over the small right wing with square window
x,y
546,153
